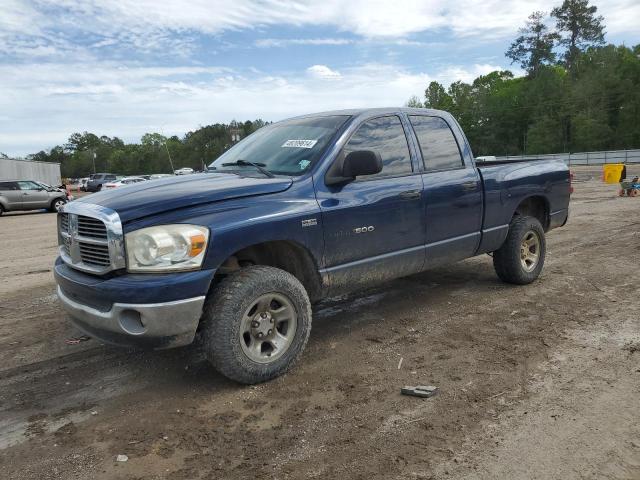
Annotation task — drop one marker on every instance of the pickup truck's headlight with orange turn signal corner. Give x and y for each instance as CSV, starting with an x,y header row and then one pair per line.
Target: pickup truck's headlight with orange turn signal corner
x,y
166,248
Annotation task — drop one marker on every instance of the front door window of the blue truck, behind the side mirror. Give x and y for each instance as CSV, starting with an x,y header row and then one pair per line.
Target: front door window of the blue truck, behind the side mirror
x,y
384,135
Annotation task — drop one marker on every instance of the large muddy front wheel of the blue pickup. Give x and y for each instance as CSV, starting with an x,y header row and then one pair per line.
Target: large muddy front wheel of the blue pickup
x,y
256,324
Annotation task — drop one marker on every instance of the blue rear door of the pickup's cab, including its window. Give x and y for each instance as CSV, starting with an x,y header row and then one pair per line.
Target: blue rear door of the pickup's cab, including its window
x,y
452,193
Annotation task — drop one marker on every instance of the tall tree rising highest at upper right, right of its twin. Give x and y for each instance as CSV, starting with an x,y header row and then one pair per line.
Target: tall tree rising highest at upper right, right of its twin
x,y
579,28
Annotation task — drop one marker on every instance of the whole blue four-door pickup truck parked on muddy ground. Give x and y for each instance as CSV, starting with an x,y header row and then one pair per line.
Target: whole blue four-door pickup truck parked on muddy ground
x,y
300,210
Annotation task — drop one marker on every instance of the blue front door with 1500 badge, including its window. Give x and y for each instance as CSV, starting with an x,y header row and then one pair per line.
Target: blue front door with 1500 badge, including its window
x,y
373,226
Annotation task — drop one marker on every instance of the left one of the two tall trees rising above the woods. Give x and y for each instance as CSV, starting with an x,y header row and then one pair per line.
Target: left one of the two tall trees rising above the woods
x,y
534,47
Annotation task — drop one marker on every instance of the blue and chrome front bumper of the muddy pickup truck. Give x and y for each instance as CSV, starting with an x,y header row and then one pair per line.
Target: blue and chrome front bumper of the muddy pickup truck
x,y
149,311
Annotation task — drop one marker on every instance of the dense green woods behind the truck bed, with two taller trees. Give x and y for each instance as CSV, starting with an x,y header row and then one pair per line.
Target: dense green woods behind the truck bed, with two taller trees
x,y
578,94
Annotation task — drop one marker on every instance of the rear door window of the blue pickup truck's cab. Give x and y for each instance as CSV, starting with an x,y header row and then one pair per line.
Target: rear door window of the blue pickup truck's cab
x,y
438,145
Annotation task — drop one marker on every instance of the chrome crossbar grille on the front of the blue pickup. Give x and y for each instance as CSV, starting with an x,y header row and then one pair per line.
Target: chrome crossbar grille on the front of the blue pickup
x,y
90,238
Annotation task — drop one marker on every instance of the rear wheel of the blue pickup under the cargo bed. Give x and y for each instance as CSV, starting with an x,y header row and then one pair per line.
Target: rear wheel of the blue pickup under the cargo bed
x,y
521,257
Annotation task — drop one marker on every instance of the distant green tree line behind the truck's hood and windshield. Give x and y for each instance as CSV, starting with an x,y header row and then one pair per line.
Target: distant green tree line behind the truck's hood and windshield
x,y
155,153
